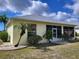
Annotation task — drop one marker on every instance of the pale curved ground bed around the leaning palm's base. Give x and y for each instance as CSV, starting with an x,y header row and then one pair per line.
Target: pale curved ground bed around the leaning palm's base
x,y
8,46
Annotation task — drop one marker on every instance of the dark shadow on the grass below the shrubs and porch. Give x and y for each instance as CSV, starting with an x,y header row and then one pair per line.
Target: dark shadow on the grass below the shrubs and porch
x,y
44,46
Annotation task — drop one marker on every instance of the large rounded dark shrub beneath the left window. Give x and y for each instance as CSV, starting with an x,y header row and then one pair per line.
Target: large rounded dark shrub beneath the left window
x,y
33,40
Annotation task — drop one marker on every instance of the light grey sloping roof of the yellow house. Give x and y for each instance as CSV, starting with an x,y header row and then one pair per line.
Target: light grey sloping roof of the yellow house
x,y
42,19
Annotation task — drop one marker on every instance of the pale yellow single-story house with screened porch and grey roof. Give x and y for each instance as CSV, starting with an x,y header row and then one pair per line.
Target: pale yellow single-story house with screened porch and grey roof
x,y
39,26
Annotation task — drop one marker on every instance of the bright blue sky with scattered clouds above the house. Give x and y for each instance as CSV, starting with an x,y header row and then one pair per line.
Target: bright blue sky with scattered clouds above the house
x,y
60,10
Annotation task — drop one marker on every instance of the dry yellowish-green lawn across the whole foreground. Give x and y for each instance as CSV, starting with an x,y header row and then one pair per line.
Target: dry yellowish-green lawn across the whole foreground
x,y
67,51
